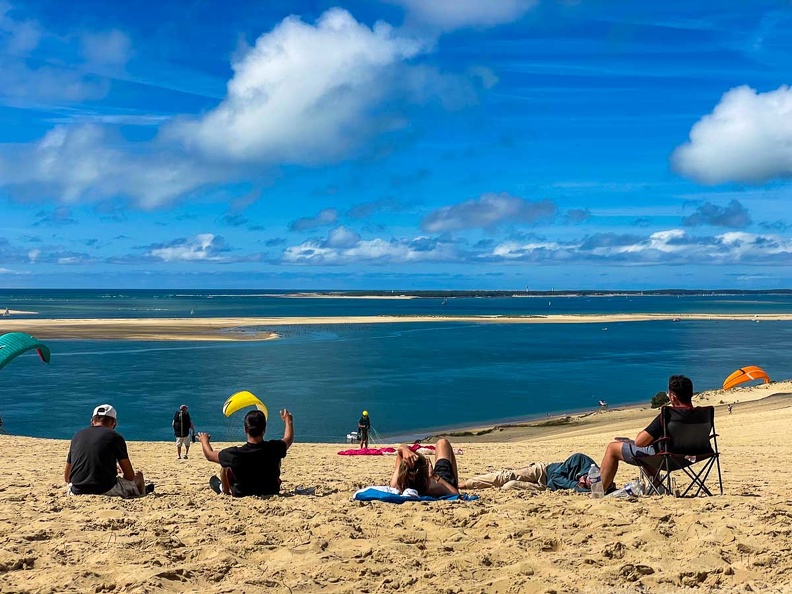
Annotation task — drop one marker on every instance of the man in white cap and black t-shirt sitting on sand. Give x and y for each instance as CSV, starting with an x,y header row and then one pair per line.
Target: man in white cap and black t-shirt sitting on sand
x,y
95,454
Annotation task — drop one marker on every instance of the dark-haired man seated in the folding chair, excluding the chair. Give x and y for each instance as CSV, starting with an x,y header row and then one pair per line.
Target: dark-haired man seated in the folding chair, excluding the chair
x,y
680,393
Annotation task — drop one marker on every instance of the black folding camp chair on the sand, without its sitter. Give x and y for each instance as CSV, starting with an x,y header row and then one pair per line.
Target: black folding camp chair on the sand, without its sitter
x,y
689,444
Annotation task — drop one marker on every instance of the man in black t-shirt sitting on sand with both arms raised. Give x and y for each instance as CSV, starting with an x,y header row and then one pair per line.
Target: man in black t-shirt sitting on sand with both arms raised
x,y
253,468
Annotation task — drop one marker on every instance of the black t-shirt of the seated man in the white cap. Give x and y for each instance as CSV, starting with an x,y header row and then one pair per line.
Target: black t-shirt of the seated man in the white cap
x,y
93,454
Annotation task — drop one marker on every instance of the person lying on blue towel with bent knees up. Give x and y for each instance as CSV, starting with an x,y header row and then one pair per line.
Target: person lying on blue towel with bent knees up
x,y
414,471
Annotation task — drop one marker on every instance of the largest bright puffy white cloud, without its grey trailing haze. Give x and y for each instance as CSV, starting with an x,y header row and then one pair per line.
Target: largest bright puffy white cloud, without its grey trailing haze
x,y
305,94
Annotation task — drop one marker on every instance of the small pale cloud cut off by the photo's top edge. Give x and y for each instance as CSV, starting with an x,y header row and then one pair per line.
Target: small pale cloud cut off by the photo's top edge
x,y
456,14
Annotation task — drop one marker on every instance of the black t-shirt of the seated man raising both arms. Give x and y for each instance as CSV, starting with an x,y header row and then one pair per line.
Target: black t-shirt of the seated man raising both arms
x,y
255,467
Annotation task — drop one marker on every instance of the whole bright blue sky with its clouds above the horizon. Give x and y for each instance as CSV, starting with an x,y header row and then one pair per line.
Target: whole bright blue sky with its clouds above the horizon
x,y
396,144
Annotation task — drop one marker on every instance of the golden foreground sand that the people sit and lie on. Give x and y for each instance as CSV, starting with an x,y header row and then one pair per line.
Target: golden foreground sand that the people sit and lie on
x,y
185,538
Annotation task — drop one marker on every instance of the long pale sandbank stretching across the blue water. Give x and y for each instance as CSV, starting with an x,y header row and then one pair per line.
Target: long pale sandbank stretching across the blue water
x,y
261,328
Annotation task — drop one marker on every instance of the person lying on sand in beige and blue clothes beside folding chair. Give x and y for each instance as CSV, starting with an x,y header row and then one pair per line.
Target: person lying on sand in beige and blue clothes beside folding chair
x,y
572,473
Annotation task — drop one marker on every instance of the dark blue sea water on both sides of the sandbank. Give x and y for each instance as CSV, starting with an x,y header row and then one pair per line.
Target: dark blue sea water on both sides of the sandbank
x,y
414,379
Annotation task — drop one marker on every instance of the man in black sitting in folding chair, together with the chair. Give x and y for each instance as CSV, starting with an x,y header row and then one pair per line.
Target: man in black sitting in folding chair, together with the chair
x,y
676,439
